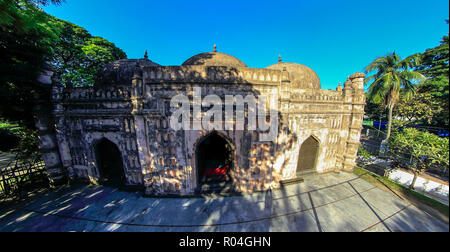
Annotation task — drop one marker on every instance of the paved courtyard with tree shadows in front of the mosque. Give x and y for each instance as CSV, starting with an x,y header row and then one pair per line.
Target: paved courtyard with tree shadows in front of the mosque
x,y
327,202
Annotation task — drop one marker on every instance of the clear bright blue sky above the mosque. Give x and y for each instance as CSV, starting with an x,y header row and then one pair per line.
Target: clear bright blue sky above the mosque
x,y
334,38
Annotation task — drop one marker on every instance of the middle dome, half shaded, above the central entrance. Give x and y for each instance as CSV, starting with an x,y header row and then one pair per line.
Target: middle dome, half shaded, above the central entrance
x,y
214,59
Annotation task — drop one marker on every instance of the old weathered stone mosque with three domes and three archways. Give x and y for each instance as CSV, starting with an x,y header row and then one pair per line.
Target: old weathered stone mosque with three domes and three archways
x,y
119,130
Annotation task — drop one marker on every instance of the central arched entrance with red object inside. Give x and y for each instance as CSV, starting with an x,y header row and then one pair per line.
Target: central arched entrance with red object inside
x,y
214,160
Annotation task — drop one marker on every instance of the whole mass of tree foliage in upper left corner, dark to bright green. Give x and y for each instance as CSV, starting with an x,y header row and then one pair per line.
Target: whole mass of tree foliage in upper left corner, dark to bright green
x,y
30,38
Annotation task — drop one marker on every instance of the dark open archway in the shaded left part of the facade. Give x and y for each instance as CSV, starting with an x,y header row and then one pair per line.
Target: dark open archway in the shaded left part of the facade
x,y
109,163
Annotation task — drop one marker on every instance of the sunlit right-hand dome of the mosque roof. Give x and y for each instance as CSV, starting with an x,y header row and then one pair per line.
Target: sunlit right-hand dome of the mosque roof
x,y
301,76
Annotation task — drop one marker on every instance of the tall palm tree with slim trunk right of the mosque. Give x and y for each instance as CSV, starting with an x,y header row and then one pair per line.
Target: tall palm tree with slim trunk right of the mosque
x,y
392,77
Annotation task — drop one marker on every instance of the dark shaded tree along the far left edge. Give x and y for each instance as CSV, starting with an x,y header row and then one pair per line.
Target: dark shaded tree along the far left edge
x,y
25,44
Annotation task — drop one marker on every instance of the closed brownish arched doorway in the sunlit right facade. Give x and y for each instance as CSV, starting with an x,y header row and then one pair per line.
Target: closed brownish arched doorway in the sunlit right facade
x,y
307,156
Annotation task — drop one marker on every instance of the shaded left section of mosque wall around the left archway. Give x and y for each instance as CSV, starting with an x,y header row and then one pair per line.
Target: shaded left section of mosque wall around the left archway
x,y
84,117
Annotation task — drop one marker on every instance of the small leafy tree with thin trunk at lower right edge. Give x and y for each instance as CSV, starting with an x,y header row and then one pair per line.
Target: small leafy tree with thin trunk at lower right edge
x,y
422,149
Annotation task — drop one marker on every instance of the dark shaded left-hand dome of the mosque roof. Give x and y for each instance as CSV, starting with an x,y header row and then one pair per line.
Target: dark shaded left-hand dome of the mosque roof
x,y
120,72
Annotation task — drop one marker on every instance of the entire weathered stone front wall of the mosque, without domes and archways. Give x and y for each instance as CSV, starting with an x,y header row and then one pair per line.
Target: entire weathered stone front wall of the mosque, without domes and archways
x,y
135,117
